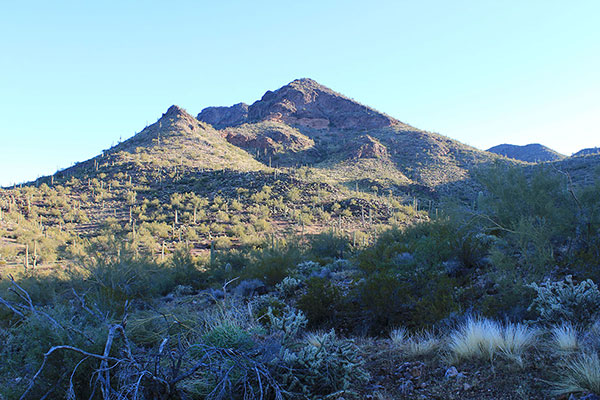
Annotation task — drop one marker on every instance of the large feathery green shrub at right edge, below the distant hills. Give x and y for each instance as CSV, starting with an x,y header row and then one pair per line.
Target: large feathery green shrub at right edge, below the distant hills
x,y
541,217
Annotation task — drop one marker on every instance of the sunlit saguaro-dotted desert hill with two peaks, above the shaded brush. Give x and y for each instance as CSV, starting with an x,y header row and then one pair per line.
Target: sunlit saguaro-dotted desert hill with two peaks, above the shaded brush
x,y
301,160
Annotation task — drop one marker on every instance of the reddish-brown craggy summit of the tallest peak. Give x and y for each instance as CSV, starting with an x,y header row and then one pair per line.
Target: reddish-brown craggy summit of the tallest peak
x,y
307,103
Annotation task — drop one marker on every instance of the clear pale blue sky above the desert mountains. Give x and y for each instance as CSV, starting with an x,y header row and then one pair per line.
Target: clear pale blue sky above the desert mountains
x,y
77,76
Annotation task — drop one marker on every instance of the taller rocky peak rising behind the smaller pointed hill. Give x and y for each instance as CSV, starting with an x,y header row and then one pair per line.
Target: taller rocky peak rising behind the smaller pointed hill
x,y
343,141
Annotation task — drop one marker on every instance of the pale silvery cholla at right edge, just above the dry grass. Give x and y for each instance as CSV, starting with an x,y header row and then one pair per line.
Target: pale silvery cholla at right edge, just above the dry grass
x,y
565,301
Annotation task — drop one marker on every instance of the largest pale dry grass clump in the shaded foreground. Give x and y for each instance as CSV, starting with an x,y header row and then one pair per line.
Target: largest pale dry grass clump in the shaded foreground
x,y
484,339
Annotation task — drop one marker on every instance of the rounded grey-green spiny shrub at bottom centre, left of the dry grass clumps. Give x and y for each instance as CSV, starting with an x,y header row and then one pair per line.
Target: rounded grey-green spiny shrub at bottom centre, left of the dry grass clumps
x,y
325,365
